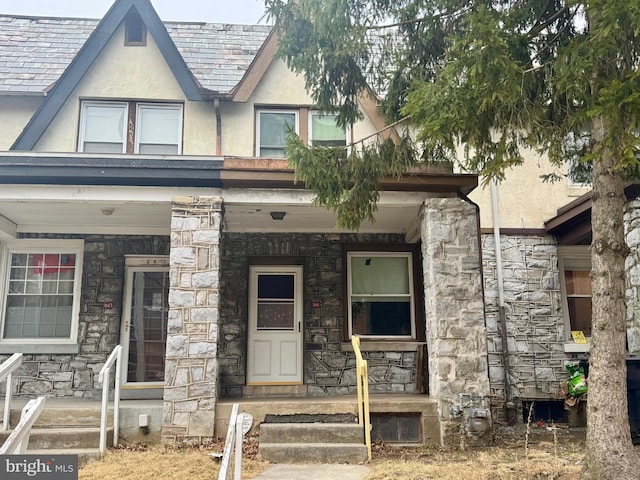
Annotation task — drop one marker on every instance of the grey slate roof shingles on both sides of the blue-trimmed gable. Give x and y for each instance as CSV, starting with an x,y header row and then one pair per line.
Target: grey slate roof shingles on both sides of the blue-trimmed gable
x,y
34,51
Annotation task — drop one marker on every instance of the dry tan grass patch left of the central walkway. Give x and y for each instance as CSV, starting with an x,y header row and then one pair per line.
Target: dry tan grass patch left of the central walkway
x,y
160,462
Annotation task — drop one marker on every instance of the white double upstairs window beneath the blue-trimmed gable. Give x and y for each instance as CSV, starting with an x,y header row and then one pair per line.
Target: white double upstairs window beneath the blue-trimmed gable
x,y
130,127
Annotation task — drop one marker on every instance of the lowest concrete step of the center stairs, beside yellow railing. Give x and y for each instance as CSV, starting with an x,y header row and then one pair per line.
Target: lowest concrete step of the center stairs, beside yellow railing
x,y
313,452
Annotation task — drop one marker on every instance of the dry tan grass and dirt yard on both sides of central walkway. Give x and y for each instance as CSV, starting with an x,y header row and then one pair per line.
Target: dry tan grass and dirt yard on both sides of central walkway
x,y
542,453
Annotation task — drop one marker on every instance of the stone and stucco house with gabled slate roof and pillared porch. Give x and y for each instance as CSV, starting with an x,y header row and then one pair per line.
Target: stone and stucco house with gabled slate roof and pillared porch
x,y
145,201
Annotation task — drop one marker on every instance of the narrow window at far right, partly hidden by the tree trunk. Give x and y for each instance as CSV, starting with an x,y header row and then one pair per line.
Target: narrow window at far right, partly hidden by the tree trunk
x,y
575,280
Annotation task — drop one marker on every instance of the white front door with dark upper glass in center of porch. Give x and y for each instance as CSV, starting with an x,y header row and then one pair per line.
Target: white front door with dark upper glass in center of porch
x,y
275,325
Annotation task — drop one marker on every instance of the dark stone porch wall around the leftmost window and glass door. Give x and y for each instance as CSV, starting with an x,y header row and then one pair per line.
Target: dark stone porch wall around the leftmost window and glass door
x,y
76,375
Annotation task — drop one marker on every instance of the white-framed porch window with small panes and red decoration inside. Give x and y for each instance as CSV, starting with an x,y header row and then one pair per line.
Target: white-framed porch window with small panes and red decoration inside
x,y
40,285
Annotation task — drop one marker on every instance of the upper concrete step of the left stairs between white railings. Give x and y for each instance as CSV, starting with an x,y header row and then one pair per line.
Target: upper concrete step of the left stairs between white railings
x,y
63,438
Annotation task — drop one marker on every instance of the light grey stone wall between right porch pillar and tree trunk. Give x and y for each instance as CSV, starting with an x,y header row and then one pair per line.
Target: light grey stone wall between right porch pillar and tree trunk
x,y
533,312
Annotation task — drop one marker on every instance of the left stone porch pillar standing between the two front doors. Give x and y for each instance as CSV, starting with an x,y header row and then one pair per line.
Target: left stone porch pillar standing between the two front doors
x,y
191,369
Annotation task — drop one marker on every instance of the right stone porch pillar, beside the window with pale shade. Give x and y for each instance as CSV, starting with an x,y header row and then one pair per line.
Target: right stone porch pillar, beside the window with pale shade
x,y
454,306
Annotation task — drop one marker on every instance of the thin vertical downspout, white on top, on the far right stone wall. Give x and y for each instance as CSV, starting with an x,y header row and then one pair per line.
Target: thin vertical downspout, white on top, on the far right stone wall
x,y
508,397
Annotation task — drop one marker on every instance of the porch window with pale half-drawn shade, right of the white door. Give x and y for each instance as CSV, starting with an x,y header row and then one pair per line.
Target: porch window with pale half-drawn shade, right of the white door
x,y
381,295
